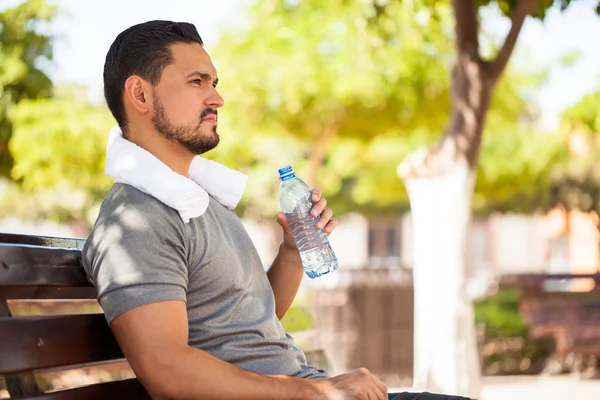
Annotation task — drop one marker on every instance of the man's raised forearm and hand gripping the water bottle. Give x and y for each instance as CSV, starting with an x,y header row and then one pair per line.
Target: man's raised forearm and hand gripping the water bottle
x,y
286,271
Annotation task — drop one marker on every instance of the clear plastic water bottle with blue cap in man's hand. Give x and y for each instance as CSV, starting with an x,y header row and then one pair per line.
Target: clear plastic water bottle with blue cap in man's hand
x,y
295,199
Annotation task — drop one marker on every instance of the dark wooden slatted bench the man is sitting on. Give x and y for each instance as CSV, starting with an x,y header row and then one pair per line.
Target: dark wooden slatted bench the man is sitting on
x,y
40,268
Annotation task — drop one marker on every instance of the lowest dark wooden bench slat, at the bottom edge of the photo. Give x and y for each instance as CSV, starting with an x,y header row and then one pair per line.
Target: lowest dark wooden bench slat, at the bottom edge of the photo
x,y
129,389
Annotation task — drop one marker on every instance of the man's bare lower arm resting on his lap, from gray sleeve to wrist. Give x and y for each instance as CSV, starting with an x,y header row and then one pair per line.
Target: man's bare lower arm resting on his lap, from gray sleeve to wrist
x,y
154,338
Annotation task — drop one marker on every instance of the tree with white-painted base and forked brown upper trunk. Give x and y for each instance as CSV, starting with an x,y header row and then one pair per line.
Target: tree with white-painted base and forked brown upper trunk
x,y
440,180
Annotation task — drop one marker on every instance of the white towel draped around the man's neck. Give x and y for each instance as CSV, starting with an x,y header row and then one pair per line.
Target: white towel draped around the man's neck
x,y
189,196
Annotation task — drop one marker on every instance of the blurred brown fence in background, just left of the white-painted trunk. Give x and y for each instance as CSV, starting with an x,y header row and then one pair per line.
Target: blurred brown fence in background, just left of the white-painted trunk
x,y
367,321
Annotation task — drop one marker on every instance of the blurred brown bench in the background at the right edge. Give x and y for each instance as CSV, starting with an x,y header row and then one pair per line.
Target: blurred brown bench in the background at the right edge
x,y
550,308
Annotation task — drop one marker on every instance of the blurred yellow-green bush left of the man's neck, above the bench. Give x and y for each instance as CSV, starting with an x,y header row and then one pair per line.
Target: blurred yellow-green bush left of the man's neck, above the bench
x,y
60,139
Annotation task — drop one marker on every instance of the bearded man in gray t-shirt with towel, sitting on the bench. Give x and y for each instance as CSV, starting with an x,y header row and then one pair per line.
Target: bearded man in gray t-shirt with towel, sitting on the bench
x,y
184,290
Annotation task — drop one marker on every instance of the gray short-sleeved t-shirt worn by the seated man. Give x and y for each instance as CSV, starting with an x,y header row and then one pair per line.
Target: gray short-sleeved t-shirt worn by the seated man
x,y
141,252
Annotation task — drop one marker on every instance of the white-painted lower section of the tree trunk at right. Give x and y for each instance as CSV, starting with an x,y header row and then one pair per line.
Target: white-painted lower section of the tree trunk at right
x,y
445,355
